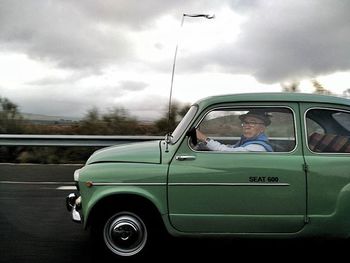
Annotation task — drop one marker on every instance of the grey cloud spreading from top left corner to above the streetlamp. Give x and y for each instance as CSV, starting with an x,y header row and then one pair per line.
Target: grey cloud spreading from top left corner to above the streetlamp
x,y
80,35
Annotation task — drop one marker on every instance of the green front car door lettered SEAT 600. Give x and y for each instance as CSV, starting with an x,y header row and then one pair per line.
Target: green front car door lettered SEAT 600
x,y
240,192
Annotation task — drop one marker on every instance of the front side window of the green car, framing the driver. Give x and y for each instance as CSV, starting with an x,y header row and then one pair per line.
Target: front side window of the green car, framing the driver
x,y
269,129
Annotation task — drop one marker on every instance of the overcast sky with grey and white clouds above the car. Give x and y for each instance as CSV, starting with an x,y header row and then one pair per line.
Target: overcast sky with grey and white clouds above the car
x,y
63,57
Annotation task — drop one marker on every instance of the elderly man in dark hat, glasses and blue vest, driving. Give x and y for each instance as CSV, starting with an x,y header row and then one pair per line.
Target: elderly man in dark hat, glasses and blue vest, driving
x,y
253,137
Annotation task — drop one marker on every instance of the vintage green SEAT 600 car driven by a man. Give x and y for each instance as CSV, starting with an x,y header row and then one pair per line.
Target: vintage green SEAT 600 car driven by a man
x,y
296,185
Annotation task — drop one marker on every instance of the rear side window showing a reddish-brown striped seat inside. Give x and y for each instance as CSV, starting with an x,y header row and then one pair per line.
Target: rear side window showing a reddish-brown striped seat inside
x,y
328,130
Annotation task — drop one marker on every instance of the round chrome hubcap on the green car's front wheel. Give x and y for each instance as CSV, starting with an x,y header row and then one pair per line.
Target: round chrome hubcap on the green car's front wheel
x,y
125,234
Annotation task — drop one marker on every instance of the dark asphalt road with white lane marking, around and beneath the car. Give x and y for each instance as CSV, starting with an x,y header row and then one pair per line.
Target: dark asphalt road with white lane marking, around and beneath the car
x,y
35,227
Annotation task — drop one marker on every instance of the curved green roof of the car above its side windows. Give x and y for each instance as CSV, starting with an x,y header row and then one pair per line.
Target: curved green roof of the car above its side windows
x,y
272,97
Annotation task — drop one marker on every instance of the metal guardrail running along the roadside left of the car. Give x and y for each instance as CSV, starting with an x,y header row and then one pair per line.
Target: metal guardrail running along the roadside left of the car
x,y
70,140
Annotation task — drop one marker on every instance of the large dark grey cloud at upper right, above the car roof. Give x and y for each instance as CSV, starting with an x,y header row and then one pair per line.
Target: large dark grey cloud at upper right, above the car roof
x,y
285,40
